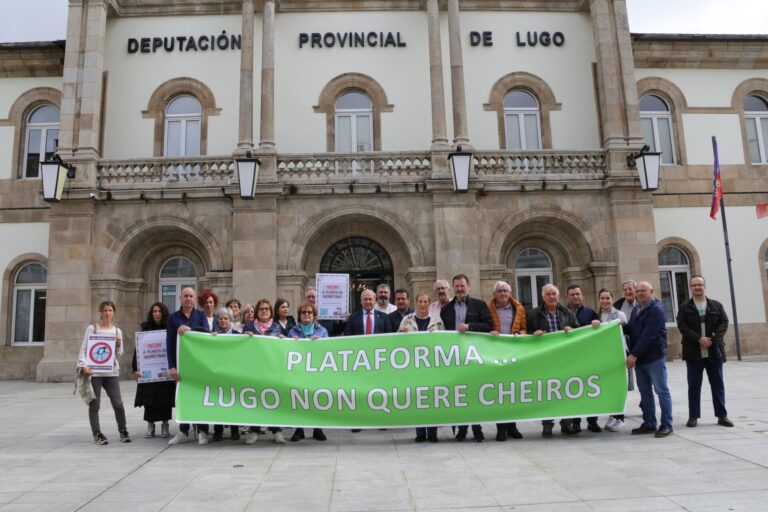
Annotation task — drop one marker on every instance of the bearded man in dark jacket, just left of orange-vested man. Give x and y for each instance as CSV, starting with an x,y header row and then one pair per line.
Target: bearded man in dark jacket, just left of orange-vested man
x,y
464,314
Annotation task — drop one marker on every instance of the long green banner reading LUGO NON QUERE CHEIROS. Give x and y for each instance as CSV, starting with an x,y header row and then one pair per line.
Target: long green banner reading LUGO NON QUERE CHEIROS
x,y
400,380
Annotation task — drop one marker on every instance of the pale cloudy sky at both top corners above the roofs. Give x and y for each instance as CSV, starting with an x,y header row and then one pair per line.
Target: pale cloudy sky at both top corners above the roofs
x,y
45,20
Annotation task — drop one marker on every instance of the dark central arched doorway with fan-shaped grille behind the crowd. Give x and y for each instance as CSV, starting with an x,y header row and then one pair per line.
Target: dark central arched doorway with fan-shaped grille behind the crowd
x,y
367,263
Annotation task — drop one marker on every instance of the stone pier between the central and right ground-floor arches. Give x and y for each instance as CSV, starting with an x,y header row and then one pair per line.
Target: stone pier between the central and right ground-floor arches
x,y
457,238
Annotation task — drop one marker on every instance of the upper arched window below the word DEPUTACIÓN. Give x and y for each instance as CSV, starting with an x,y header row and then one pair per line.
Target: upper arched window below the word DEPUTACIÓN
x,y
182,126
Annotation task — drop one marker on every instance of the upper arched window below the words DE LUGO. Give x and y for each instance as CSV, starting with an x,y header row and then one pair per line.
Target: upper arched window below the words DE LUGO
x,y
521,120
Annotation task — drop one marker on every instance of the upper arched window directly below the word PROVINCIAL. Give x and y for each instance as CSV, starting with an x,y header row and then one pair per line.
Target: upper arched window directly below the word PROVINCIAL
x,y
353,122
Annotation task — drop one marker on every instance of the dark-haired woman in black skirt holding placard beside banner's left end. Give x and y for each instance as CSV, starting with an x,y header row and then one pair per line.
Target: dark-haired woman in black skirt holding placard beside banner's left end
x,y
157,398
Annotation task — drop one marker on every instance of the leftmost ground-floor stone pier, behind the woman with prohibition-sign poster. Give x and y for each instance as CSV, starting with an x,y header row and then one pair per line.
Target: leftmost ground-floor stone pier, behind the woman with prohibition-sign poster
x,y
68,308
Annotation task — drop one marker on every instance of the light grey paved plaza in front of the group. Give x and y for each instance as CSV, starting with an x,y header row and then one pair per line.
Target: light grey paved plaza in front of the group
x,y
48,462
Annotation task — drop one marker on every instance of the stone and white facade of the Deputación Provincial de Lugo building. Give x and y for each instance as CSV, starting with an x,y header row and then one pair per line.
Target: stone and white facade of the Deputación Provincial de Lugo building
x,y
360,183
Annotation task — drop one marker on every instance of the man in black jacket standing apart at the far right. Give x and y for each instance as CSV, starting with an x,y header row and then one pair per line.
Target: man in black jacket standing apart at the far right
x,y
702,322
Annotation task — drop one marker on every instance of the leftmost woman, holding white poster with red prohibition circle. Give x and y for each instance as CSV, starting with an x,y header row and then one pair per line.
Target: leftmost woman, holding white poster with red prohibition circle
x,y
103,334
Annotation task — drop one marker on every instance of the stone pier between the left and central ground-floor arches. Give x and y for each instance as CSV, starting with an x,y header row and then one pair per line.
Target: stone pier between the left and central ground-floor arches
x,y
254,247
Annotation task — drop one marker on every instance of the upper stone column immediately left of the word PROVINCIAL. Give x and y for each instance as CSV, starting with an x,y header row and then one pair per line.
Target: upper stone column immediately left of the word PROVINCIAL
x,y
267,139
